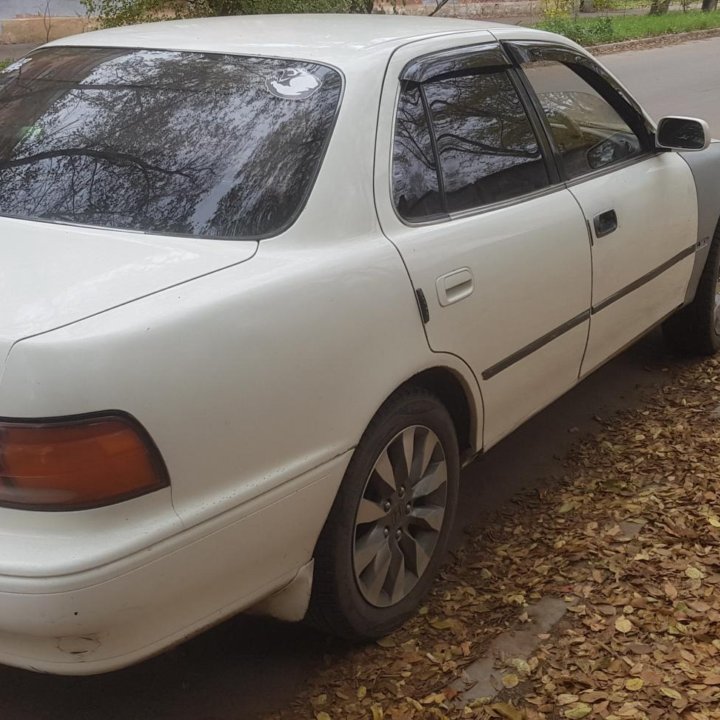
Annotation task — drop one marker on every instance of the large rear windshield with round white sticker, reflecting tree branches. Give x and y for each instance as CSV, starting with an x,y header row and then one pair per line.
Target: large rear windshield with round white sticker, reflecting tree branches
x,y
206,145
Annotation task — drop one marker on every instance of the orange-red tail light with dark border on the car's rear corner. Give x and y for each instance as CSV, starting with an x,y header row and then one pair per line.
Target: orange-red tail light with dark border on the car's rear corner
x,y
73,464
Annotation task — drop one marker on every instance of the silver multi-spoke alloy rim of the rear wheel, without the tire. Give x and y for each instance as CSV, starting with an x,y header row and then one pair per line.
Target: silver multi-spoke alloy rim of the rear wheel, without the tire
x,y
400,516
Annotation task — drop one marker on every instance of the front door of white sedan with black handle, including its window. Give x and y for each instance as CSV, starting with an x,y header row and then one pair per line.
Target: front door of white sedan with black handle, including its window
x,y
640,203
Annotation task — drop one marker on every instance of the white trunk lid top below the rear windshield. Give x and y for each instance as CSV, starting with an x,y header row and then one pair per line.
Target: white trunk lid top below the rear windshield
x,y
52,275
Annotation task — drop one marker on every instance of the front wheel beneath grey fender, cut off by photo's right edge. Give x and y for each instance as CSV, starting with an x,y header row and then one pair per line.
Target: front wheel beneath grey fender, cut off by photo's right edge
x,y
695,329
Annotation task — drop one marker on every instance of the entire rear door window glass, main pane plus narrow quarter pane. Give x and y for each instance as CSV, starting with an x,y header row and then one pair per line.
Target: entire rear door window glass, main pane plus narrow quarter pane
x,y
487,148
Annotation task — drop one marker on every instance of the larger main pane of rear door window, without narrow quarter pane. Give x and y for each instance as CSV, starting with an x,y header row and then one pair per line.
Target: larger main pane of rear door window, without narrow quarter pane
x,y
488,150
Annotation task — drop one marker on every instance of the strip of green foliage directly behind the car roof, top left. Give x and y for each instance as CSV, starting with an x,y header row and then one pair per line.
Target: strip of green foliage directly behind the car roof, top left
x,y
123,12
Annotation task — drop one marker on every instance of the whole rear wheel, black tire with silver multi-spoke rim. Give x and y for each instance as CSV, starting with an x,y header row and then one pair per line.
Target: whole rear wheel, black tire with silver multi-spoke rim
x,y
381,547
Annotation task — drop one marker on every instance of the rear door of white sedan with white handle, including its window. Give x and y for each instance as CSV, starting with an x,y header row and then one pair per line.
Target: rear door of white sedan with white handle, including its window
x,y
495,246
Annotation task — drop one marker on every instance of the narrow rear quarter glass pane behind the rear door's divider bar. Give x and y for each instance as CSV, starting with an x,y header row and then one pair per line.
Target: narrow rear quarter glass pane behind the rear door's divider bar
x,y
415,180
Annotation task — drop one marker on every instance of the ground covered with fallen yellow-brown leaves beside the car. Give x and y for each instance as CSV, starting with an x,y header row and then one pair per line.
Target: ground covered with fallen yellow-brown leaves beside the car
x,y
630,539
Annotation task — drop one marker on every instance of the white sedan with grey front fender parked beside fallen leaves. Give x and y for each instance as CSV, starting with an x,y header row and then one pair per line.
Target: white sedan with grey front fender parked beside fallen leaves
x,y
267,283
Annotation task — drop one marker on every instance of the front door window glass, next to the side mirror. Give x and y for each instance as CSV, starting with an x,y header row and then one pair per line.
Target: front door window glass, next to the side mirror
x,y
589,133
